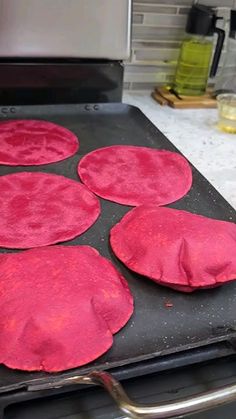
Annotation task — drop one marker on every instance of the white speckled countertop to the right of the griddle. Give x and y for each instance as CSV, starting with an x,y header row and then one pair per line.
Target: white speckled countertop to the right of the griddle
x,y
195,134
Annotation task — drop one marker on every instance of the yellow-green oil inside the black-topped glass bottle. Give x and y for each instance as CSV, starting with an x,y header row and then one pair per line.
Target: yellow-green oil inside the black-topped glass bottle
x,y
193,67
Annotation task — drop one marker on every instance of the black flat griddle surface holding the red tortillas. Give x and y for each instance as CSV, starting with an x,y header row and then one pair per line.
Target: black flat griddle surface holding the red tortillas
x,y
197,326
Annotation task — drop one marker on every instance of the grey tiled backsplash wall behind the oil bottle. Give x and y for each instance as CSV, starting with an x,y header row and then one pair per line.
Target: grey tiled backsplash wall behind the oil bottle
x,y
157,30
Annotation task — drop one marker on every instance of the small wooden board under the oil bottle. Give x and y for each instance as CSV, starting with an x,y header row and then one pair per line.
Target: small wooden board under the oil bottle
x,y
164,97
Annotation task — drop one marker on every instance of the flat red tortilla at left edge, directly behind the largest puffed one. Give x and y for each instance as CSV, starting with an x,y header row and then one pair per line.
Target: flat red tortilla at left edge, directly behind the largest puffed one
x,y
38,209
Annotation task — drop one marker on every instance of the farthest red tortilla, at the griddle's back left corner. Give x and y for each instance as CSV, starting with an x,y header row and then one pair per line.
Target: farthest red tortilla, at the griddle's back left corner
x,y
33,142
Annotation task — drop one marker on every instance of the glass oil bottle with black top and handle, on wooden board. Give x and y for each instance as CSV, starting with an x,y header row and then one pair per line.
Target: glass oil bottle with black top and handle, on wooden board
x,y
193,66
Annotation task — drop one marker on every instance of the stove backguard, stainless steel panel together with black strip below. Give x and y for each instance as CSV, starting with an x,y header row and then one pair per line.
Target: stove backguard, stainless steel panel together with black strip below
x,y
57,51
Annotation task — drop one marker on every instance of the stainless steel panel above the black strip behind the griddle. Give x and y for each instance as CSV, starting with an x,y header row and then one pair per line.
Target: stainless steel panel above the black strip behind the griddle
x,y
65,28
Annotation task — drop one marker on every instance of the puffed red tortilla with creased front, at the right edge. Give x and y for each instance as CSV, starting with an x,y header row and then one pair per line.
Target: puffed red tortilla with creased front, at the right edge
x,y
176,248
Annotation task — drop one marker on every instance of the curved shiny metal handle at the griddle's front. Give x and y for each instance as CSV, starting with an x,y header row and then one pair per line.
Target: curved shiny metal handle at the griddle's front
x,y
194,404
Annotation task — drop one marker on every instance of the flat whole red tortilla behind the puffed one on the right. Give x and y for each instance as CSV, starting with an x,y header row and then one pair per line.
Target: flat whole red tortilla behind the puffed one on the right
x,y
133,175
